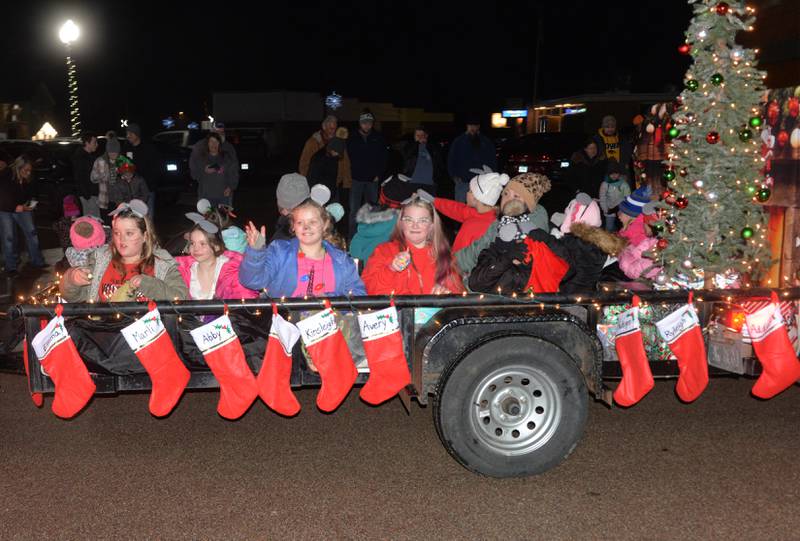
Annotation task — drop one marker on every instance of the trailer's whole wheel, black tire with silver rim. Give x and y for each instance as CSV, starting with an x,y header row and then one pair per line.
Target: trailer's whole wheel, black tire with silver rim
x,y
515,406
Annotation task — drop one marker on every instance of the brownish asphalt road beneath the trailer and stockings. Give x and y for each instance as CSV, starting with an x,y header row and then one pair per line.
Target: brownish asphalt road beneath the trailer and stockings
x,y
725,467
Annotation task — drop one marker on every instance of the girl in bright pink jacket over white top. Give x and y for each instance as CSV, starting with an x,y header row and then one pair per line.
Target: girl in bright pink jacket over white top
x,y
210,271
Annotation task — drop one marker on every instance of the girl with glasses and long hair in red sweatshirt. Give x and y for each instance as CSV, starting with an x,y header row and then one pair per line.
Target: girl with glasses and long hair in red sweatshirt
x,y
416,260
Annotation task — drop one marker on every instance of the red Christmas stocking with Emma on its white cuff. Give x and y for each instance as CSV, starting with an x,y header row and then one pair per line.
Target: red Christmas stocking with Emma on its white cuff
x,y
60,359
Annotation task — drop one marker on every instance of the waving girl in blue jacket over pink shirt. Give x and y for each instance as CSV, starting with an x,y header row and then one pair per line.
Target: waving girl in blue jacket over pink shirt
x,y
309,265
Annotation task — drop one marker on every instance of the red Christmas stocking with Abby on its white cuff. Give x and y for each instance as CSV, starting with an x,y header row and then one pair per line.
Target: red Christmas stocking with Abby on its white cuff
x,y
223,353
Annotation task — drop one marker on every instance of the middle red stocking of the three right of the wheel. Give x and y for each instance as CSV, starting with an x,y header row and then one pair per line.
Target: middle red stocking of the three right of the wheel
x,y
681,331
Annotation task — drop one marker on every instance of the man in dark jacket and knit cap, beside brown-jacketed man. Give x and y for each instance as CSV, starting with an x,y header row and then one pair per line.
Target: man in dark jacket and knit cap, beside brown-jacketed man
x,y
368,157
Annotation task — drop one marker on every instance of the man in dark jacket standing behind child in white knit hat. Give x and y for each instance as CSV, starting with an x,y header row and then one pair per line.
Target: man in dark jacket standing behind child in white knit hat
x,y
470,150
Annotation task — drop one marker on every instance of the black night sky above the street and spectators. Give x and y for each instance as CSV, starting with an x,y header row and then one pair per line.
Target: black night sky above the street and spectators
x,y
145,61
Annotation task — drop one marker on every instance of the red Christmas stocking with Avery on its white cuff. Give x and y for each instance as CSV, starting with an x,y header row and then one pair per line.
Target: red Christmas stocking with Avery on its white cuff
x,y
388,368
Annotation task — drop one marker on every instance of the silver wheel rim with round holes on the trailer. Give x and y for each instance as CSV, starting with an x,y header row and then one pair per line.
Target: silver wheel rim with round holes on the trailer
x,y
515,410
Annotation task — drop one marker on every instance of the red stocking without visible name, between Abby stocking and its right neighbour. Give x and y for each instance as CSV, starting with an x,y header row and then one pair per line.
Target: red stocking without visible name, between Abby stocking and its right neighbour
x,y
274,378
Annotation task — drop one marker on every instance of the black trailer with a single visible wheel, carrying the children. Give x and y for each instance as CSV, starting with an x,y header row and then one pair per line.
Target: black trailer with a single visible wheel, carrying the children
x,y
509,379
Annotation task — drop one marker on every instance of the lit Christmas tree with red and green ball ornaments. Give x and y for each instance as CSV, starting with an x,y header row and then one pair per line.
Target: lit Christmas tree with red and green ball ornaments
x,y
712,219
